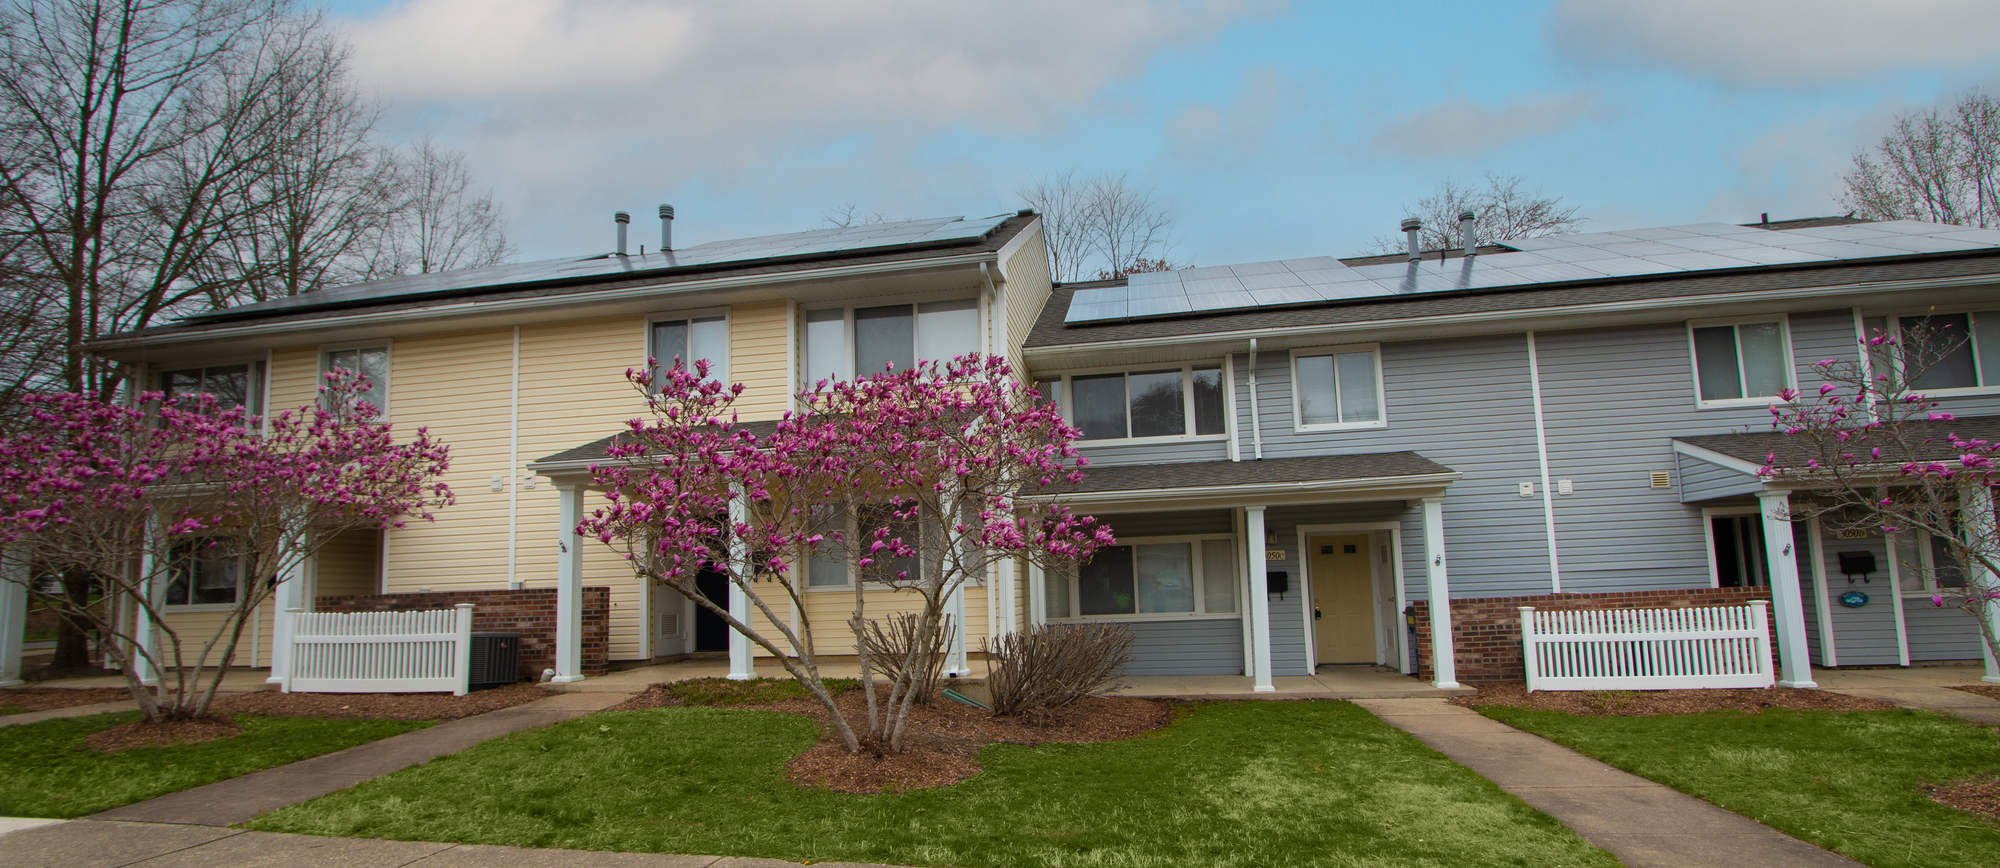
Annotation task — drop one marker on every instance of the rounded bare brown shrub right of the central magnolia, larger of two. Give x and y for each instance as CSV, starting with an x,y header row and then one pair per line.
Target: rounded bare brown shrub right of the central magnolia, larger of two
x,y
1055,665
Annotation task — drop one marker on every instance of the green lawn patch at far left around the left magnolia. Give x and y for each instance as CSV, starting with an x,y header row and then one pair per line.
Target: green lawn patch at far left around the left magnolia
x,y
47,771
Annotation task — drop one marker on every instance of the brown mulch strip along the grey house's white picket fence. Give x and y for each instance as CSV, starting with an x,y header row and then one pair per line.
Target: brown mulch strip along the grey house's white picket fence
x,y
1649,703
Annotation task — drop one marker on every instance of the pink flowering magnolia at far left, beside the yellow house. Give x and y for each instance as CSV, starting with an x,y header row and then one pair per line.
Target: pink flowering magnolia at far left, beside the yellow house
x,y
163,499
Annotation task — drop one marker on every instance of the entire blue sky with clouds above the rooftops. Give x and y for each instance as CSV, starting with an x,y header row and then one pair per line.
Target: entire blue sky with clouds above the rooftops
x,y
1269,129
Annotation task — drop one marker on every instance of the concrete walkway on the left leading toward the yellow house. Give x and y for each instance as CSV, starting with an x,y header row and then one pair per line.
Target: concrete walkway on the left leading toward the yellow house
x,y
229,803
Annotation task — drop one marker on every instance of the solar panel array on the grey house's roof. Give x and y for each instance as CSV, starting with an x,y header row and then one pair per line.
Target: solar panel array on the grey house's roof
x,y
1537,261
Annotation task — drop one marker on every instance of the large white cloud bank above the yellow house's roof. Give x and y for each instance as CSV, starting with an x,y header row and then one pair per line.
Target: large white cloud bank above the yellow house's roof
x,y
567,105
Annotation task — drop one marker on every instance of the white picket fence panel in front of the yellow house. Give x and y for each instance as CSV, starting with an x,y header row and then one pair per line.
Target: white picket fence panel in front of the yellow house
x,y
381,653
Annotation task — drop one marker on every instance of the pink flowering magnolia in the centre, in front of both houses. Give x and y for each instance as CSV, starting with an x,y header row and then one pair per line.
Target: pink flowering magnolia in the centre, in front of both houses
x,y
915,481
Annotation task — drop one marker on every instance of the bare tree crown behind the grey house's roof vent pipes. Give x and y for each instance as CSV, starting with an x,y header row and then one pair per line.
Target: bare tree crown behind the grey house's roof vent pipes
x,y
1503,207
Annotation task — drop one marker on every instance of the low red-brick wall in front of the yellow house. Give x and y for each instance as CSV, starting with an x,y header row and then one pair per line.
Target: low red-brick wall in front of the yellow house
x,y
531,613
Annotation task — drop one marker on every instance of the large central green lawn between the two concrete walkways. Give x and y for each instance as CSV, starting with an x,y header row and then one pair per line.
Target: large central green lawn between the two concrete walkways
x,y
1231,785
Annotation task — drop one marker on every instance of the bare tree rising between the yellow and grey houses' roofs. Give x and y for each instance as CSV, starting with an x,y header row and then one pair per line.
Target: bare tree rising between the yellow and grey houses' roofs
x,y
1099,225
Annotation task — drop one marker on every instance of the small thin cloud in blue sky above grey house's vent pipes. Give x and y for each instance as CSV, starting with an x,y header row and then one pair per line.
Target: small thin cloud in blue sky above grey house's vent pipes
x,y
1463,127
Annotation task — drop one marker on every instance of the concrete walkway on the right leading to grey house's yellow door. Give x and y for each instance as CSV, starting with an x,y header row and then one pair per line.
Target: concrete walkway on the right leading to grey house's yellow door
x,y
1643,823
